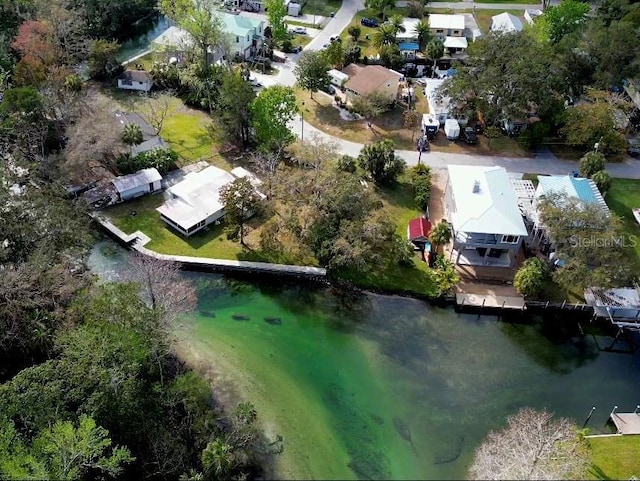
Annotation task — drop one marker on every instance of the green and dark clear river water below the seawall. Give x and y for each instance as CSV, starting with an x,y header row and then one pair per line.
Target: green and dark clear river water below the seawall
x,y
382,387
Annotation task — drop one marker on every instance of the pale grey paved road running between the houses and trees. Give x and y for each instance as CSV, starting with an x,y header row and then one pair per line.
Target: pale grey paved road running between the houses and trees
x,y
543,163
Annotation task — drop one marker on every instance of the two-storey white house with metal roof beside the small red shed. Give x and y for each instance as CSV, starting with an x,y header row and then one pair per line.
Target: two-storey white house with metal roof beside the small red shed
x,y
487,224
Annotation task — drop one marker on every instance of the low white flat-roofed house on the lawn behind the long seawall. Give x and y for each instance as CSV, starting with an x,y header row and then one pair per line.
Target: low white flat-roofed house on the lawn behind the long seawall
x,y
194,203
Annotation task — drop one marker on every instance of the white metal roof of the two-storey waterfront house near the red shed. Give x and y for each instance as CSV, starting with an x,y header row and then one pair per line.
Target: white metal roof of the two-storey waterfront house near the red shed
x,y
493,209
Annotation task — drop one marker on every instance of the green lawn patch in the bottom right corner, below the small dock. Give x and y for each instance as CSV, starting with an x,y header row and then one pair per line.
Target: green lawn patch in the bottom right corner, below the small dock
x,y
616,457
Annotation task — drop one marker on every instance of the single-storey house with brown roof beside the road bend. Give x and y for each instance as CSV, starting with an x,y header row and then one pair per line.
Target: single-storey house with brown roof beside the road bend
x,y
366,79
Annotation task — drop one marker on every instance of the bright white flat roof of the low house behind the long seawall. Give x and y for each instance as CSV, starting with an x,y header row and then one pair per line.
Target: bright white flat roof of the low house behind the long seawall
x,y
196,197
